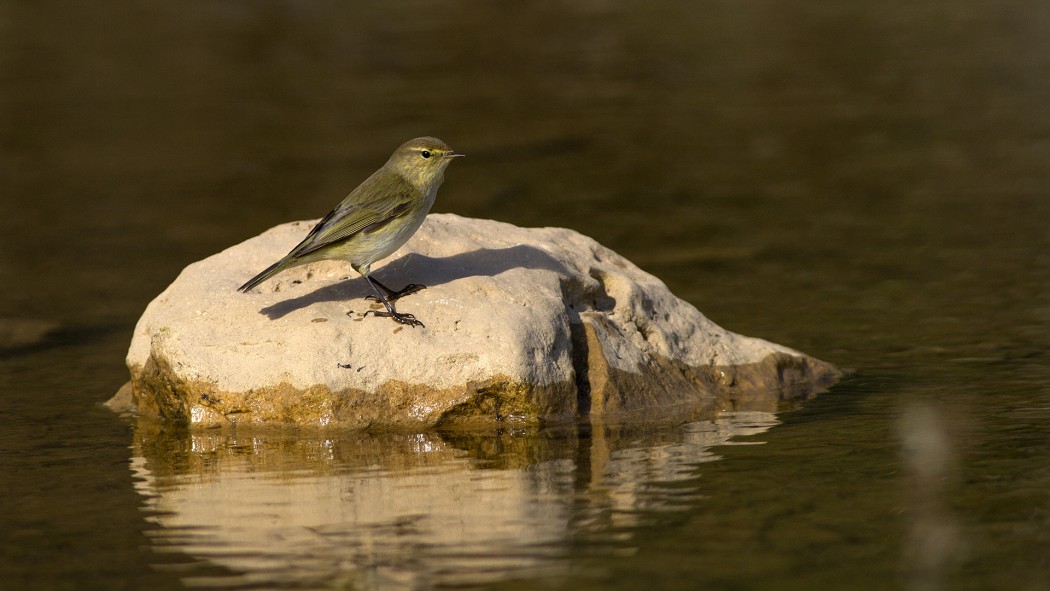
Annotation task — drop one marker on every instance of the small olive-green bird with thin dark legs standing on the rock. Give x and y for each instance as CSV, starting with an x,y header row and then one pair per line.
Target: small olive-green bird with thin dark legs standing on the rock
x,y
375,220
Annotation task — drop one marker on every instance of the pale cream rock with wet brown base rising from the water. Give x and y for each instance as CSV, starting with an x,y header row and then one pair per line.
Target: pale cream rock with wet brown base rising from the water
x,y
522,325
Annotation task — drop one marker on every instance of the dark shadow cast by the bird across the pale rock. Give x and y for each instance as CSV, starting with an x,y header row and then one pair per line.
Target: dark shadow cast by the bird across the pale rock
x,y
426,270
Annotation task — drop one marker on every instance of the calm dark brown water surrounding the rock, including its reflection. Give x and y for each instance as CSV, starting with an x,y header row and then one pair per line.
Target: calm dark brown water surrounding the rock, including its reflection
x,y
868,183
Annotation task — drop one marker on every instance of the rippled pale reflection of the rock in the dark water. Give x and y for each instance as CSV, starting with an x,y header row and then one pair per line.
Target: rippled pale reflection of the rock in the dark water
x,y
413,511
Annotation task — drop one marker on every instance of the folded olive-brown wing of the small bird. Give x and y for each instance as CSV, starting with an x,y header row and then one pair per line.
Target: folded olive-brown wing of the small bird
x,y
365,209
